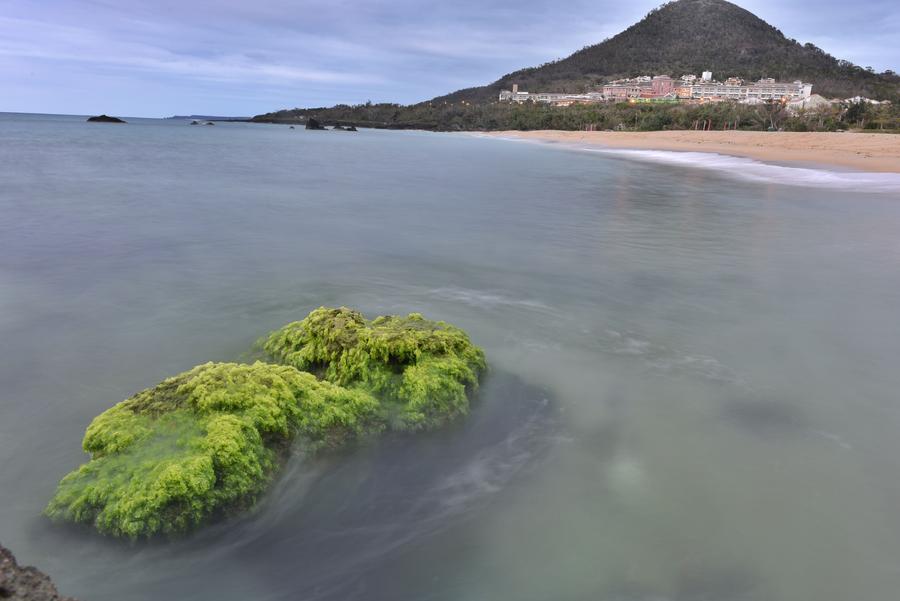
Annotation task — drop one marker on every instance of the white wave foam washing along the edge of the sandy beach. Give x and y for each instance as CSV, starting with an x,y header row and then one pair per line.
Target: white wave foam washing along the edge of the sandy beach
x,y
753,170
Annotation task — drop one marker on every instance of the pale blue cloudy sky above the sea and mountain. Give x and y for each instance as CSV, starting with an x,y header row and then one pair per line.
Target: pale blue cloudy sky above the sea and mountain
x,y
158,58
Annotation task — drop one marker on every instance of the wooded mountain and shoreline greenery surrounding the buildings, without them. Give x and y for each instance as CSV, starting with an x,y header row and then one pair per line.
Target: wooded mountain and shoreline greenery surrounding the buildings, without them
x,y
682,37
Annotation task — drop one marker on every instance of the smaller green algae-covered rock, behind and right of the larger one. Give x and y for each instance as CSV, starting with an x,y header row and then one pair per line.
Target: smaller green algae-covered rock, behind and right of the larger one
x,y
423,371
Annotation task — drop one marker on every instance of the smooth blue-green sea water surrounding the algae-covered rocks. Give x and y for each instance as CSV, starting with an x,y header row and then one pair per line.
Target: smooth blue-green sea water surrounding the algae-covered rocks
x,y
693,394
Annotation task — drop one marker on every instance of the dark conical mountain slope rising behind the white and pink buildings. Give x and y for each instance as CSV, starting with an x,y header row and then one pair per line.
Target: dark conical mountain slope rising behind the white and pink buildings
x,y
691,36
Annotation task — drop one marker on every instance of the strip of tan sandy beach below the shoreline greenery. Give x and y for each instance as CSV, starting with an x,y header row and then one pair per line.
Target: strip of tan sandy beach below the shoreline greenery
x,y
865,152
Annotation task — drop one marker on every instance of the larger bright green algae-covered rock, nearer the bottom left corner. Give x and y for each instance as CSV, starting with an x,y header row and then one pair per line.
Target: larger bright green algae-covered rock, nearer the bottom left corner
x,y
201,443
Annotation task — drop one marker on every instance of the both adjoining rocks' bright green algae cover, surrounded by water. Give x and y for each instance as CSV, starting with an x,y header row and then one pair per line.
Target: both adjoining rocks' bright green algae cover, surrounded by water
x,y
207,442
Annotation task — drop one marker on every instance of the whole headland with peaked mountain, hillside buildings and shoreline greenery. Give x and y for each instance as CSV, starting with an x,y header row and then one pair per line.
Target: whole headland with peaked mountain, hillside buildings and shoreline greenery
x,y
657,75
